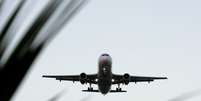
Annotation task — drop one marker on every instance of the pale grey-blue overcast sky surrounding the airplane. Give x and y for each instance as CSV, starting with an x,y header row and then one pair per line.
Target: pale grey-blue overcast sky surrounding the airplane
x,y
144,37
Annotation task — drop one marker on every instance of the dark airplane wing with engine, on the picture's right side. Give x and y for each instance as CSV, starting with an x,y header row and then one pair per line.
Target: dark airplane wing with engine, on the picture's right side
x,y
126,78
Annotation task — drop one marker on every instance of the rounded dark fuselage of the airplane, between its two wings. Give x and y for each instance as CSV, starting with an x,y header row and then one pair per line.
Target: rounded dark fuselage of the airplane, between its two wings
x,y
104,73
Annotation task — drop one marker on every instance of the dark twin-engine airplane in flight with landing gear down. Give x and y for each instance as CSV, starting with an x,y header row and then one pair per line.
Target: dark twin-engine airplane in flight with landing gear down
x,y
104,78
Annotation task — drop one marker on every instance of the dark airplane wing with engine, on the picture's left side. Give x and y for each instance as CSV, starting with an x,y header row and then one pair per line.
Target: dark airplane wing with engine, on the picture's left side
x,y
83,78
